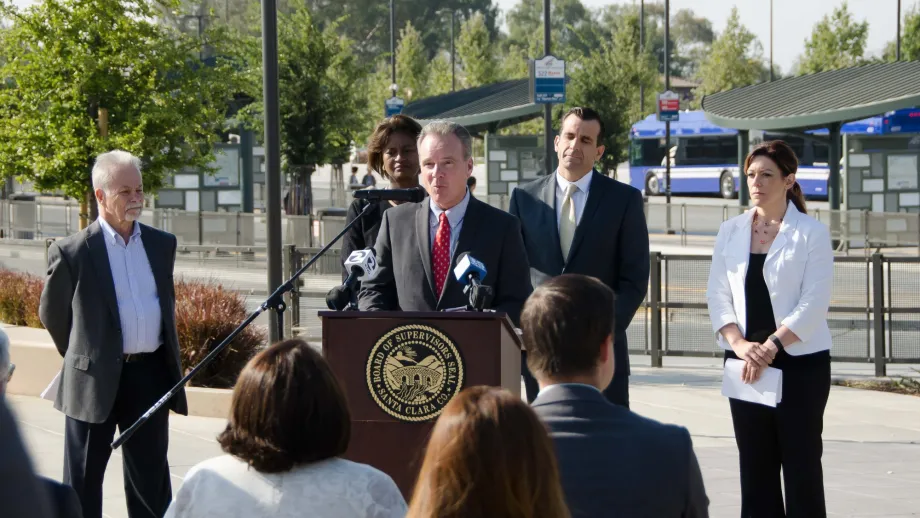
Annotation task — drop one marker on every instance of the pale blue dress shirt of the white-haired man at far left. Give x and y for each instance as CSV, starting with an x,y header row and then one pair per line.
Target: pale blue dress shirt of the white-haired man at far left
x,y
135,290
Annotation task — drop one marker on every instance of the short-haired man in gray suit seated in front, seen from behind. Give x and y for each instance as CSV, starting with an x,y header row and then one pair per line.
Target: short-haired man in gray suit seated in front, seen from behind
x,y
612,462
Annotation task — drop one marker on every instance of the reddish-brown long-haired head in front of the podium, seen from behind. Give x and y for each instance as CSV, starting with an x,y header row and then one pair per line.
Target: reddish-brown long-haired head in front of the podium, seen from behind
x,y
489,455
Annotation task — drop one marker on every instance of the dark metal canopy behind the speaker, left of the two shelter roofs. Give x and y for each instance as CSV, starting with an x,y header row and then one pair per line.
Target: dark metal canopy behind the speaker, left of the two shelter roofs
x,y
485,108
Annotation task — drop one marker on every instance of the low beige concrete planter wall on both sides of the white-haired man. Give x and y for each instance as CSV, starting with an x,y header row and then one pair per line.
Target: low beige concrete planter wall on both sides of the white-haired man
x,y
38,361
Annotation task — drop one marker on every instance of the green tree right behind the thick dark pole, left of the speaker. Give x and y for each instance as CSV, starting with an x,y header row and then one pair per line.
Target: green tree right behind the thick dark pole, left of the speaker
x,y
320,107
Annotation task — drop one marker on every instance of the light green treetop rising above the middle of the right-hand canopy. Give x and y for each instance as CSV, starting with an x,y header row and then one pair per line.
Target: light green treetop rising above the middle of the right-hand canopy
x,y
837,41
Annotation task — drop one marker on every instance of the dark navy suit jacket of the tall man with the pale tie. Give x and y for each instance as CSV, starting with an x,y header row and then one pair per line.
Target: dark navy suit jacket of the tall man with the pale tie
x,y
610,243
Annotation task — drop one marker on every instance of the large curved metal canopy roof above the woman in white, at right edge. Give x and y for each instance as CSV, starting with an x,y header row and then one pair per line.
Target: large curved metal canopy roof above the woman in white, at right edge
x,y
817,100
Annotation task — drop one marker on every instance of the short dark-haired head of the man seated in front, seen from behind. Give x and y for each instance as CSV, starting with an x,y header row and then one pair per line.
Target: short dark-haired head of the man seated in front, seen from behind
x,y
568,325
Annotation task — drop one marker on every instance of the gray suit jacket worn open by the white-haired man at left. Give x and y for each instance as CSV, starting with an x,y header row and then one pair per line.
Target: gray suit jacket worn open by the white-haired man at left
x,y
79,309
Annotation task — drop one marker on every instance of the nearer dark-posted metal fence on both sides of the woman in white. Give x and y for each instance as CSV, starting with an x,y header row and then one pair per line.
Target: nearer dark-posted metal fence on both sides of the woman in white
x,y
674,319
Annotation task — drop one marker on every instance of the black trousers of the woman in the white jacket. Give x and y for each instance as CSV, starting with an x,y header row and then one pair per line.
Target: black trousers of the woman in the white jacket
x,y
786,438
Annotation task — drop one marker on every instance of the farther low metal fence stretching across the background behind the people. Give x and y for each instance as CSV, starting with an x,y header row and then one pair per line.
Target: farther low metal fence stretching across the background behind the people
x,y
42,219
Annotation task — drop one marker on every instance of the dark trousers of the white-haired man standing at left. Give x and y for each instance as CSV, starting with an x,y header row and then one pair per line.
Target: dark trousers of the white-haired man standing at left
x,y
146,469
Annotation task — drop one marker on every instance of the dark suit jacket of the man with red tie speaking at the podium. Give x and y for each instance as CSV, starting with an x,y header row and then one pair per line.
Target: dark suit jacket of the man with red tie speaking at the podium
x,y
405,280
